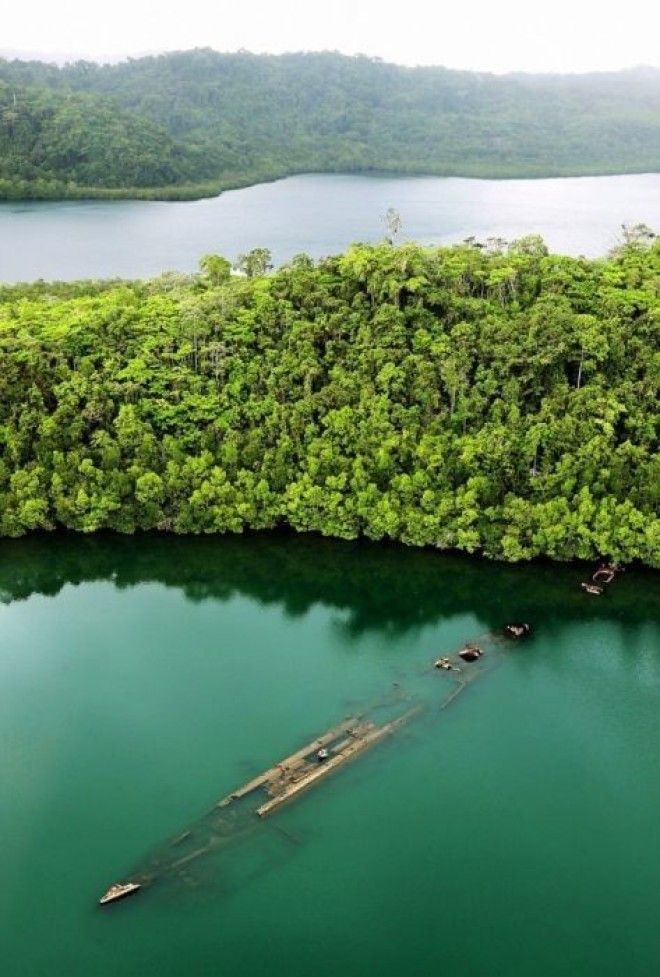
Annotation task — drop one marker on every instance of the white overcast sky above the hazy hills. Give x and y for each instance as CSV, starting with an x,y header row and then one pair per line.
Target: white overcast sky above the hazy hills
x,y
483,35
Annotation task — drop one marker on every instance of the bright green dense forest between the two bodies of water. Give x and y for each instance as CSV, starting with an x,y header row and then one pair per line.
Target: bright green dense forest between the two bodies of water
x,y
493,399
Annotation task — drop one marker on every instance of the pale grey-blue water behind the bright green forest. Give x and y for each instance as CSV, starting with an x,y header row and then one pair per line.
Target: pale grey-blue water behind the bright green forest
x,y
318,214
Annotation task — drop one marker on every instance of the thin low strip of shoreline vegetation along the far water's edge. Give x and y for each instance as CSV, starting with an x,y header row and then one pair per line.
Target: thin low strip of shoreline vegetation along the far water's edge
x,y
209,190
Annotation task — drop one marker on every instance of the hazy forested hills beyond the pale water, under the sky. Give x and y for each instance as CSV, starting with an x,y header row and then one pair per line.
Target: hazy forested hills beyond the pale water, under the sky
x,y
189,124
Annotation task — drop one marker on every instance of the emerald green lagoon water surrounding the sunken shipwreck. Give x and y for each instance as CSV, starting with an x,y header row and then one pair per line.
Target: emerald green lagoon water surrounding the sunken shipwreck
x,y
516,833
